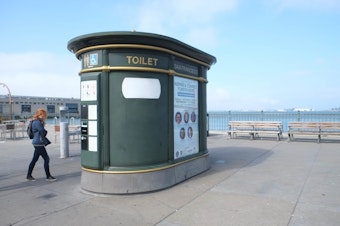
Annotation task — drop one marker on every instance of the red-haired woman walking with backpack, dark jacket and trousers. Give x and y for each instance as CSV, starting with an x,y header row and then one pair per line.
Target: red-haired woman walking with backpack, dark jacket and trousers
x,y
39,142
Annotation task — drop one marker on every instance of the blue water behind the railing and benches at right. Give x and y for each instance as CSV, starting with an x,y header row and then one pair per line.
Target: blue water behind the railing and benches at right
x,y
219,120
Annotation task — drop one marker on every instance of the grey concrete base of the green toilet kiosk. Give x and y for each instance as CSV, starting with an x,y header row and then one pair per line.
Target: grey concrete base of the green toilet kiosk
x,y
107,182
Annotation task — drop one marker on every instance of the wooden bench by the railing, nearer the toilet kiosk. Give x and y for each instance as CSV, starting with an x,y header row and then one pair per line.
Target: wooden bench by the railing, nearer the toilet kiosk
x,y
254,128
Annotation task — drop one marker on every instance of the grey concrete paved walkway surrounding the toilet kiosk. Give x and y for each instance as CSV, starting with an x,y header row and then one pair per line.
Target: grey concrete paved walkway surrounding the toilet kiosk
x,y
260,182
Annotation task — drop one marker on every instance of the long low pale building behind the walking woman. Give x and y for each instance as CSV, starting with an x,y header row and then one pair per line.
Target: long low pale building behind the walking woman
x,y
23,107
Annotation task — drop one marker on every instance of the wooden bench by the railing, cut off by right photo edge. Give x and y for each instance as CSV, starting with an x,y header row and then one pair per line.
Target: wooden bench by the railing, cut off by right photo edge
x,y
313,128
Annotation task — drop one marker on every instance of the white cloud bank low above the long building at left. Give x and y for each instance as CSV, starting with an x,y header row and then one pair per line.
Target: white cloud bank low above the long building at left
x,y
40,74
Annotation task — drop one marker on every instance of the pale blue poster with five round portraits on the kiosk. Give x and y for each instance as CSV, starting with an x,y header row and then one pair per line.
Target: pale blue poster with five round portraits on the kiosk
x,y
185,117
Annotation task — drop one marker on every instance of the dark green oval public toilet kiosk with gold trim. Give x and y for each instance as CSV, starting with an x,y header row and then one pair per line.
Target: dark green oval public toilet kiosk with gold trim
x,y
143,111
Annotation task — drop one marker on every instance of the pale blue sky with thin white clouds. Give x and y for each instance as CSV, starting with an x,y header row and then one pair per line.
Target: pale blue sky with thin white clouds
x,y
271,54
